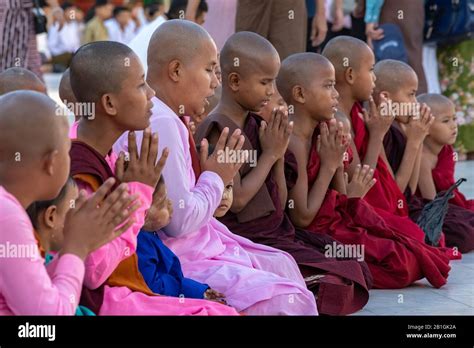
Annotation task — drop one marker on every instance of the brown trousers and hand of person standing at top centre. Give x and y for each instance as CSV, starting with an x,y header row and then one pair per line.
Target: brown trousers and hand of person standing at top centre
x,y
283,23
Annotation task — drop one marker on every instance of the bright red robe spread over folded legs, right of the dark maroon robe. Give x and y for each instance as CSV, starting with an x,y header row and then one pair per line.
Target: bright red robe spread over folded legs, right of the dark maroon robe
x,y
394,259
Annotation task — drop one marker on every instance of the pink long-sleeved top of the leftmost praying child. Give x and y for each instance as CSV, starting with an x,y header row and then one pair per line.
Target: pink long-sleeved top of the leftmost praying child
x,y
25,284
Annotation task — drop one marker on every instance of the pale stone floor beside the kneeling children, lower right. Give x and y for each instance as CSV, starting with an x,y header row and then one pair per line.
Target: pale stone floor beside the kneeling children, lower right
x,y
455,298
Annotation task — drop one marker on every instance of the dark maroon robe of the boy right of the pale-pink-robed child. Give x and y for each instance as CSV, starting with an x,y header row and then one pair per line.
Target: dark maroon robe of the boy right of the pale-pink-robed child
x,y
344,287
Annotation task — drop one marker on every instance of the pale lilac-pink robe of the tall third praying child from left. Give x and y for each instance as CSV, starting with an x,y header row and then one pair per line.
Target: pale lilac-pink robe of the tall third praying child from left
x,y
256,279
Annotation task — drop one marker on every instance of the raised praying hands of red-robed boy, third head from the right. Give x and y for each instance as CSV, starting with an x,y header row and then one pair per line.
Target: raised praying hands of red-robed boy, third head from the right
x,y
377,122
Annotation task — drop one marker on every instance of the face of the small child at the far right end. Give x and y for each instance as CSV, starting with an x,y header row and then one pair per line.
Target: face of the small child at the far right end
x,y
444,129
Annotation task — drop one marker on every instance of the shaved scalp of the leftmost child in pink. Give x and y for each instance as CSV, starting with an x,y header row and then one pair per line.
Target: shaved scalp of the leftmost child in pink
x,y
30,127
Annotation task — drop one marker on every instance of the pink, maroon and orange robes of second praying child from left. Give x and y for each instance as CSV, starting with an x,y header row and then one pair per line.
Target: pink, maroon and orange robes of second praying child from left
x,y
113,282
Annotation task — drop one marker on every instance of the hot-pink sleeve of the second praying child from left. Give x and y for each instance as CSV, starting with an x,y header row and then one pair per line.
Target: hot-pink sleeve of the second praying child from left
x,y
102,262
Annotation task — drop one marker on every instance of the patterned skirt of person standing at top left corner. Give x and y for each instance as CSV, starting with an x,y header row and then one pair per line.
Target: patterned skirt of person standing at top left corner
x,y
17,36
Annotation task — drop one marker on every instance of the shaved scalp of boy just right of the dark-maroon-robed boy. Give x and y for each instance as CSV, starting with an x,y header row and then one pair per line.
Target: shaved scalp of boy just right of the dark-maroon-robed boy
x,y
300,69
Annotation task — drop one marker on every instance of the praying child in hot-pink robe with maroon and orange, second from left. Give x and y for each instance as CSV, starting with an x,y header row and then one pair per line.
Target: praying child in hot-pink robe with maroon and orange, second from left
x,y
121,97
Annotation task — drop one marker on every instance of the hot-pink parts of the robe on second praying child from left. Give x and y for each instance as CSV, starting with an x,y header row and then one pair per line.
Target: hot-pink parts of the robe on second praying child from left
x,y
101,263
